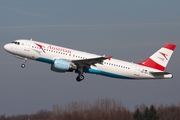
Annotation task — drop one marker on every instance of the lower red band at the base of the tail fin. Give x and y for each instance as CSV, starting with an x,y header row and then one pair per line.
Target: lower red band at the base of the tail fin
x,y
150,63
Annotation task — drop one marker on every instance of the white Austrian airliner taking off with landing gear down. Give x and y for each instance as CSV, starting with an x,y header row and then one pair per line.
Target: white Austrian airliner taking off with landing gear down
x,y
64,60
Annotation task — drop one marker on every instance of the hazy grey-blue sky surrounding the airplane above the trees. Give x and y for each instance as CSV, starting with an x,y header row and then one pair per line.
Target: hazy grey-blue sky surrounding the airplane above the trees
x,y
129,30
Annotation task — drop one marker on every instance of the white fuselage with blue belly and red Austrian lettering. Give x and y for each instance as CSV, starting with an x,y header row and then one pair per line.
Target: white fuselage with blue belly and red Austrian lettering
x,y
48,53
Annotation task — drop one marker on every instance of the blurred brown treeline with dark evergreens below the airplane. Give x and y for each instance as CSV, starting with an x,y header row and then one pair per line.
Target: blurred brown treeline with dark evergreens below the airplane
x,y
101,109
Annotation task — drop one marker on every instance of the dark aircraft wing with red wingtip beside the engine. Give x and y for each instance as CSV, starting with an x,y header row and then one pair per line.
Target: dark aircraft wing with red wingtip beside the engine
x,y
88,62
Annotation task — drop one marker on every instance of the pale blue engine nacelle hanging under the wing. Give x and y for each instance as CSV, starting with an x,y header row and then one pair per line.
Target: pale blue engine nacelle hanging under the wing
x,y
62,66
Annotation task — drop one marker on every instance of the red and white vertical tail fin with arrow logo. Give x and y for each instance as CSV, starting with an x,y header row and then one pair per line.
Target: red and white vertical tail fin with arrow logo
x,y
160,59
